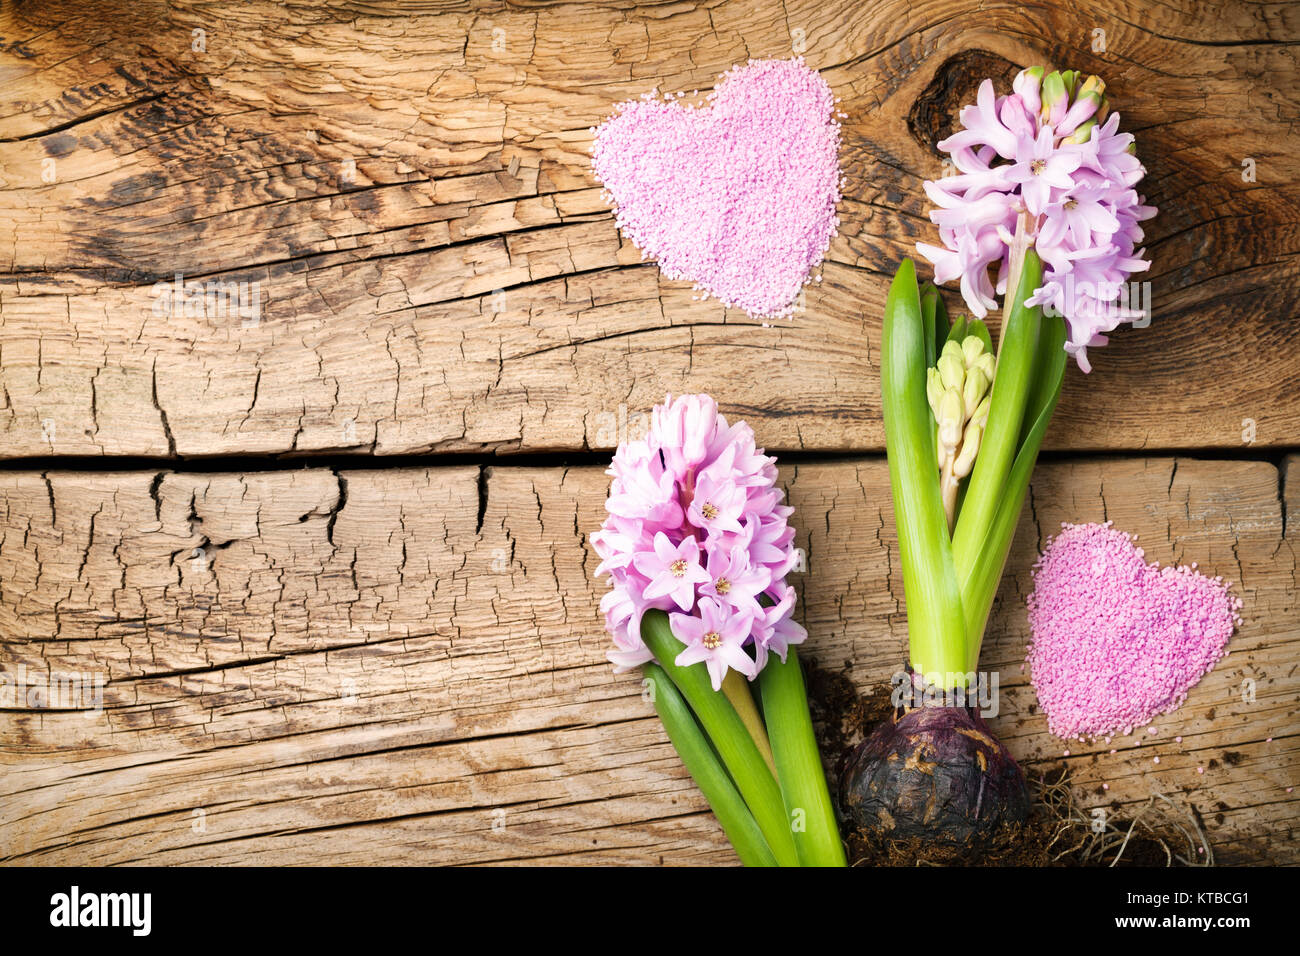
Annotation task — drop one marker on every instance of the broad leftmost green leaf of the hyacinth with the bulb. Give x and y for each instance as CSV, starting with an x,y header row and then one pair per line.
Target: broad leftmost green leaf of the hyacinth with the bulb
x,y
937,628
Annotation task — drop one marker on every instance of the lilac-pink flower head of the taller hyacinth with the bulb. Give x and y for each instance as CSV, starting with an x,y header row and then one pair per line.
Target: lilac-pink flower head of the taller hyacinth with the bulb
x,y
1045,167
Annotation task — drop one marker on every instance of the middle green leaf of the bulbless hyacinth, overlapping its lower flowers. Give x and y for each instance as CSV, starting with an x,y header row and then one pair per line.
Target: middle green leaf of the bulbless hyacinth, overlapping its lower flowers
x,y
727,732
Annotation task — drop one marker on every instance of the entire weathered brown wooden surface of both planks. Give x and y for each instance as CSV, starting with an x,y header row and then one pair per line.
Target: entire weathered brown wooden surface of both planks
x,y
406,664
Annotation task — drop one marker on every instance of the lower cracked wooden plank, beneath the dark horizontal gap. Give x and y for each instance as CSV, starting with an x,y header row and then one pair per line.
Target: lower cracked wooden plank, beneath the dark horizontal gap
x,y
392,667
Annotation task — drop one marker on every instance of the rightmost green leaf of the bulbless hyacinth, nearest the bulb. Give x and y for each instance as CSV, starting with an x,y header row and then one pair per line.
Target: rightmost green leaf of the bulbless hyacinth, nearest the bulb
x,y
799,763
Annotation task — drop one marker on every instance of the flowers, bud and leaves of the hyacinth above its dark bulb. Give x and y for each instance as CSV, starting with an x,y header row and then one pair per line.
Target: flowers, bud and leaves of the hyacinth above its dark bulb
x,y
1045,201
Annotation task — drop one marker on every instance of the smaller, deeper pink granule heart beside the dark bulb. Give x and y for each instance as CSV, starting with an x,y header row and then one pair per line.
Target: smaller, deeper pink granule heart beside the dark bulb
x,y
1117,641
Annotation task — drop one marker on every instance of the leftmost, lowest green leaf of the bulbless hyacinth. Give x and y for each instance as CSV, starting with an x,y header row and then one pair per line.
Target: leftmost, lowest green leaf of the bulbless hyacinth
x,y
710,776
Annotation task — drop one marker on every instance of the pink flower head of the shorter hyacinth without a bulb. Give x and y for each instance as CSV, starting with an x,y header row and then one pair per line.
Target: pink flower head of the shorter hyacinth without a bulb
x,y
696,527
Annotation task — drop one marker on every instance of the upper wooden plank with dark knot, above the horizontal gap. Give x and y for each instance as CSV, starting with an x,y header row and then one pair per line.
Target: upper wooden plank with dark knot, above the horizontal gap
x,y
419,296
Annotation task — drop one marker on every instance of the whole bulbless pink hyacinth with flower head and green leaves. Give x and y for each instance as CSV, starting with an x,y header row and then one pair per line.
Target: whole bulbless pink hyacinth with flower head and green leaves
x,y
697,547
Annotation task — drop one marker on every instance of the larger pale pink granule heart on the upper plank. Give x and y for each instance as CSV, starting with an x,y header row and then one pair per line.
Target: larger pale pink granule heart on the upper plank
x,y
736,196
